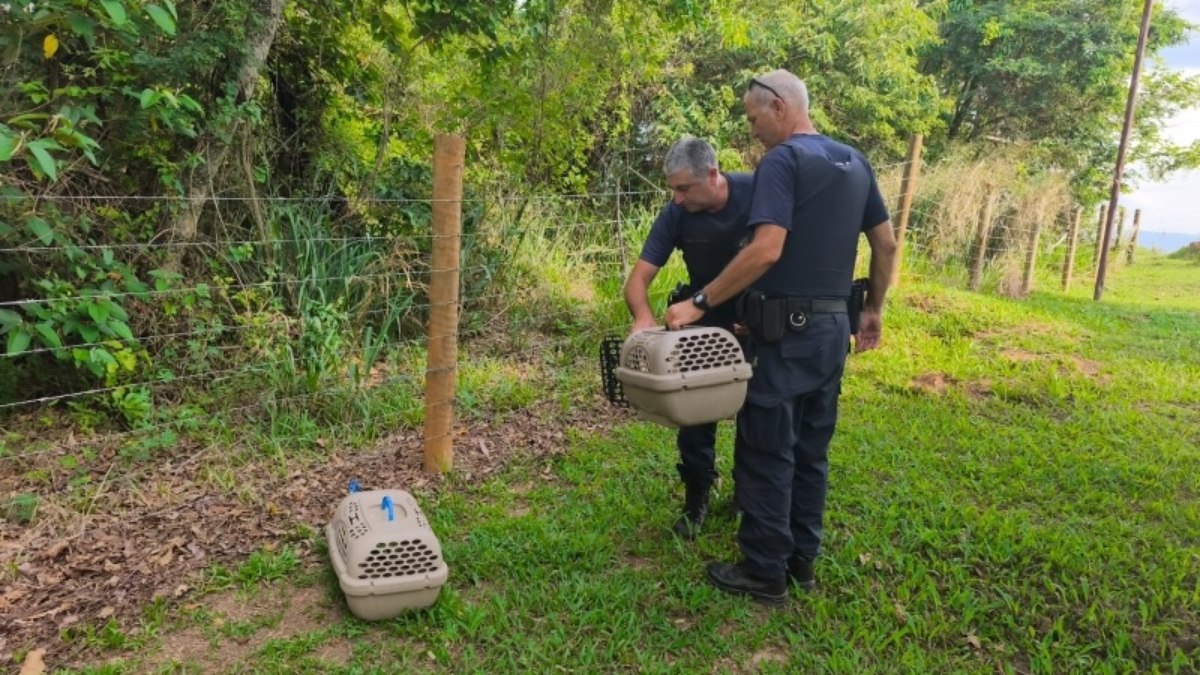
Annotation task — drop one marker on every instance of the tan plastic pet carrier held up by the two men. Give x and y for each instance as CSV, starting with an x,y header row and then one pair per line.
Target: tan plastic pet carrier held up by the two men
x,y
683,378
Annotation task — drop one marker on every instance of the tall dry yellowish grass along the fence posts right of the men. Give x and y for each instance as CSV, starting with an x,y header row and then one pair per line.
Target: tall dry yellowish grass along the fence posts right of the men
x,y
983,224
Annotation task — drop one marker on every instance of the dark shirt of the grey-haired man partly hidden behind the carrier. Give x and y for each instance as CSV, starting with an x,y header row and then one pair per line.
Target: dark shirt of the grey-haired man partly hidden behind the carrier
x,y
709,242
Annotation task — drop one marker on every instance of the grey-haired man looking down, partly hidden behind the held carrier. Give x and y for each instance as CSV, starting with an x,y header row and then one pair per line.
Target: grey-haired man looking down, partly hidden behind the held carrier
x,y
706,220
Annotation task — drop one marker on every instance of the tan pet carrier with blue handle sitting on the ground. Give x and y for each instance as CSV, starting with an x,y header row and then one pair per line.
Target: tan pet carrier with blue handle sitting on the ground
x,y
385,553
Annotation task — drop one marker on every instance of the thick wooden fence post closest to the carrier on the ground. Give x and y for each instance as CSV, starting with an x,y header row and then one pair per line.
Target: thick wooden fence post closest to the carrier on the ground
x,y
441,372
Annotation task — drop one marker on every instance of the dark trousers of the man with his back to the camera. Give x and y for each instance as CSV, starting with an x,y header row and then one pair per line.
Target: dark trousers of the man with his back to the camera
x,y
781,462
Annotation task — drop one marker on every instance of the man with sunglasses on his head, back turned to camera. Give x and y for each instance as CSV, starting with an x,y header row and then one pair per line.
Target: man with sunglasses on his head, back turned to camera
x,y
813,198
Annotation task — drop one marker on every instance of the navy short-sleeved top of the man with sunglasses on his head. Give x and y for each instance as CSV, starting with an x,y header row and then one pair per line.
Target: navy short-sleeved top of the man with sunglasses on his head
x,y
825,195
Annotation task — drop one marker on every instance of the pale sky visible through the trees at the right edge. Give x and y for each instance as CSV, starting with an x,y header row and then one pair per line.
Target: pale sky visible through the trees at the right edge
x,y
1171,206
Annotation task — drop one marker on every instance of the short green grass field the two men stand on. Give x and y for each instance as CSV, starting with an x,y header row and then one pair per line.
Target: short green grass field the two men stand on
x,y
1015,488
